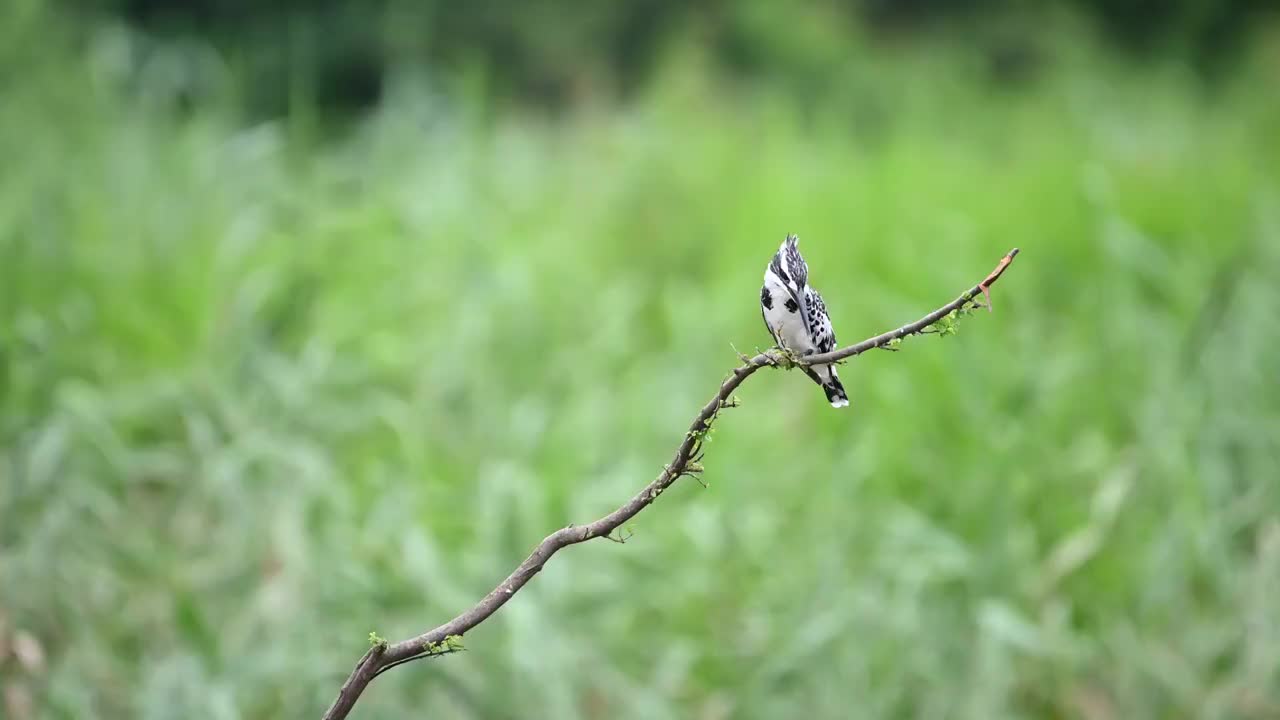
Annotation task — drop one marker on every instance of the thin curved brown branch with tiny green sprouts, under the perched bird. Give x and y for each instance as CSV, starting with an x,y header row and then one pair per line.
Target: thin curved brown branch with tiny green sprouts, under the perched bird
x,y
382,657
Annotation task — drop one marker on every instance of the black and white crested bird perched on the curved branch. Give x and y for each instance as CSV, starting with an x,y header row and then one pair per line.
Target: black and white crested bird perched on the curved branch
x,y
797,317
